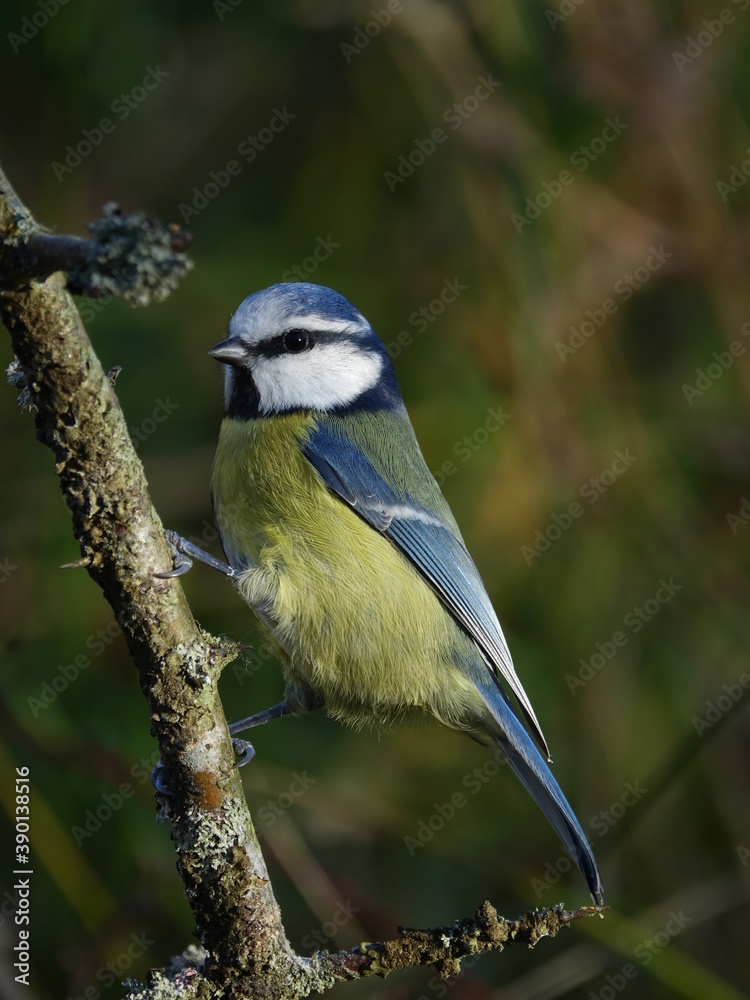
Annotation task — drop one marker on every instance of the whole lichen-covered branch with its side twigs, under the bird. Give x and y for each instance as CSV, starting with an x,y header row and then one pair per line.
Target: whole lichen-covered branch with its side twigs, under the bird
x,y
121,540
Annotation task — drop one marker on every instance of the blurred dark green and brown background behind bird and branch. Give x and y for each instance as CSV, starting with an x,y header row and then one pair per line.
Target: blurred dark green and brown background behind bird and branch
x,y
584,204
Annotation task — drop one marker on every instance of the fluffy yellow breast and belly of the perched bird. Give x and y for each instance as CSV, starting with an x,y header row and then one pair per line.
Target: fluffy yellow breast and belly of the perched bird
x,y
358,625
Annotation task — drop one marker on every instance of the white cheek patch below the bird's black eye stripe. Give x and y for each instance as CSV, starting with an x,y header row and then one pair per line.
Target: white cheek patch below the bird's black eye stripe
x,y
327,376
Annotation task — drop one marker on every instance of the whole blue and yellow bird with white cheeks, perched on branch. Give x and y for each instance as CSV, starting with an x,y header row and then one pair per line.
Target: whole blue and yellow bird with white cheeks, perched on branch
x,y
339,538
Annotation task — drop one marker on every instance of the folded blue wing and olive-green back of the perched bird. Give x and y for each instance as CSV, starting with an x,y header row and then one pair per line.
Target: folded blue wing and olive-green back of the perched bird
x,y
397,495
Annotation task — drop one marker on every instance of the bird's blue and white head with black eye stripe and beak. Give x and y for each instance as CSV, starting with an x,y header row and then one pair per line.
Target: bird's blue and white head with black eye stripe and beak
x,y
298,346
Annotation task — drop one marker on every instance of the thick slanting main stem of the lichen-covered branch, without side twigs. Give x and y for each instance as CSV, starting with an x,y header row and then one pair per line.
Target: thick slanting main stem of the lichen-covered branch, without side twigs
x,y
121,540
